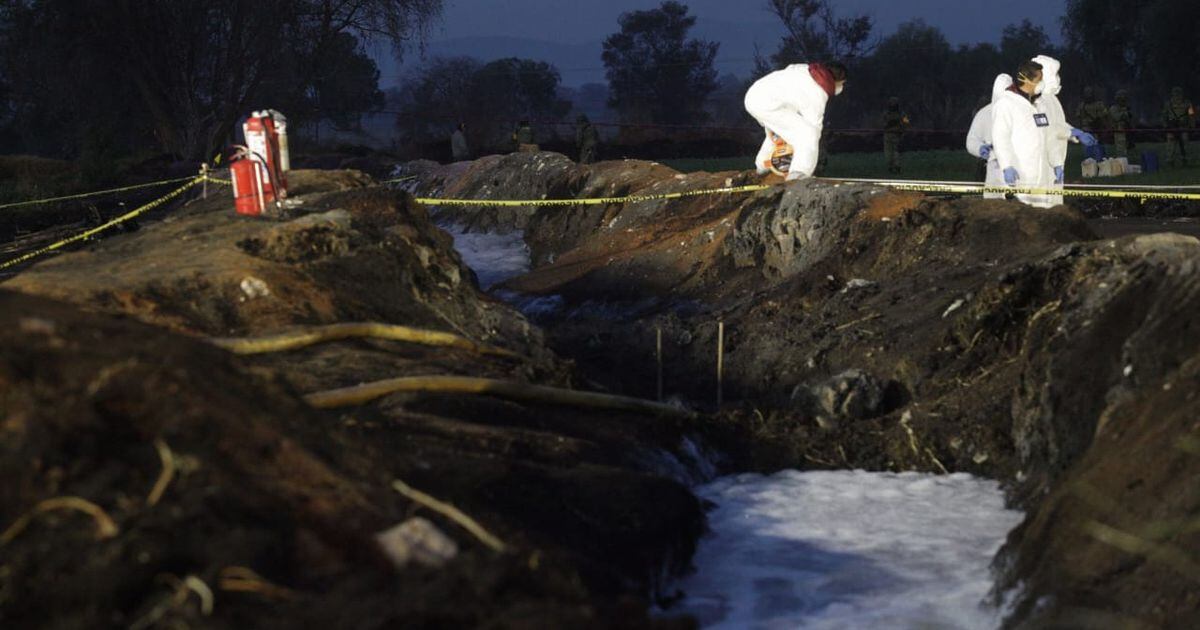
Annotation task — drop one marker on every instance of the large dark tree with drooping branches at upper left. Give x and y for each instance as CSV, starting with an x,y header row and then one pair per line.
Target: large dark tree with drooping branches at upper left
x,y
194,67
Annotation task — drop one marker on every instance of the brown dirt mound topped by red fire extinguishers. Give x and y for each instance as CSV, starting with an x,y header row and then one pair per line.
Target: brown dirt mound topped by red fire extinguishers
x,y
355,254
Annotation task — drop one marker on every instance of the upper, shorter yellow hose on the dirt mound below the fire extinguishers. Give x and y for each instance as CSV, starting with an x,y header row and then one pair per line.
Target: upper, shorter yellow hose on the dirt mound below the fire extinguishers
x,y
311,337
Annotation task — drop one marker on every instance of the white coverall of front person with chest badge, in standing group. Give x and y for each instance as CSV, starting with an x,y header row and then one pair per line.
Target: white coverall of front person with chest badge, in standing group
x,y
1019,141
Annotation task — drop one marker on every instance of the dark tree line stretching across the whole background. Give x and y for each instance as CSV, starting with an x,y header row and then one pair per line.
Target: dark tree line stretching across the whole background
x,y
110,79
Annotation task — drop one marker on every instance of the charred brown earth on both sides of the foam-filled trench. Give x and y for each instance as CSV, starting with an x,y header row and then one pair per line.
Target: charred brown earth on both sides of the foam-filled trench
x,y
863,329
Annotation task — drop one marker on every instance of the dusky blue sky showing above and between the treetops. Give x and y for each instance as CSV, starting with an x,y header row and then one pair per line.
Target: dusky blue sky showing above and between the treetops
x,y
568,33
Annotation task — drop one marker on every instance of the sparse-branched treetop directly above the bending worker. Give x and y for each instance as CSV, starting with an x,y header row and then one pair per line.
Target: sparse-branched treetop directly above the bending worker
x,y
815,34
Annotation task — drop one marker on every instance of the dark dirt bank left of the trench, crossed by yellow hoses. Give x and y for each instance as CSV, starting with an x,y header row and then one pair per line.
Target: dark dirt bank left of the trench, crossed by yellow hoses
x,y
583,500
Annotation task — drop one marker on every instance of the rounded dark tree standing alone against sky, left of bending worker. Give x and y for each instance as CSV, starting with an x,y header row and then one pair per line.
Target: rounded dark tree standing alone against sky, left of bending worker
x,y
657,74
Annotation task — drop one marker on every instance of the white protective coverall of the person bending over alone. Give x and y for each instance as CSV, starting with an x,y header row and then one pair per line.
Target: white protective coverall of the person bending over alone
x,y
791,104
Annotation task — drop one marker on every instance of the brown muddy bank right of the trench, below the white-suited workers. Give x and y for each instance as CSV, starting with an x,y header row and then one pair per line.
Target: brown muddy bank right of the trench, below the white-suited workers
x,y
867,329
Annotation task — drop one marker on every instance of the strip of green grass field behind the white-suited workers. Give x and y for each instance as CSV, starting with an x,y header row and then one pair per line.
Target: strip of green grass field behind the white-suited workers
x,y
959,166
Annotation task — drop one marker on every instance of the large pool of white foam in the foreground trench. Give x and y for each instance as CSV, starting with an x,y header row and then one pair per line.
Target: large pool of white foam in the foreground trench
x,y
849,550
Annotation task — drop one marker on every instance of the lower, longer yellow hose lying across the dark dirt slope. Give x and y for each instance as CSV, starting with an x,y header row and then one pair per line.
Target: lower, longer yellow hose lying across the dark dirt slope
x,y
503,389
